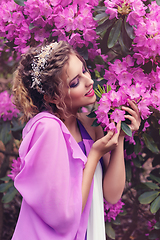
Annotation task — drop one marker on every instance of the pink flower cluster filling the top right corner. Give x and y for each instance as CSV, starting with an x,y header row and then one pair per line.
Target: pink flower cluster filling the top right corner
x,y
147,36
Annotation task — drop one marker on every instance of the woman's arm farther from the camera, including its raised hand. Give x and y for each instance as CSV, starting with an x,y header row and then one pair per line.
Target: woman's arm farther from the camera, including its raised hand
x,y
114,177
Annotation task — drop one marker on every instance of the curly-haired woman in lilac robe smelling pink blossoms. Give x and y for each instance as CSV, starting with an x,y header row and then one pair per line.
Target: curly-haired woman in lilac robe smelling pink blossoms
x,y
61,176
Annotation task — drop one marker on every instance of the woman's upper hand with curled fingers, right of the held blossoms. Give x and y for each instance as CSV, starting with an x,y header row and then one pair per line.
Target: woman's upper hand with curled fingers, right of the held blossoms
x,y
134,116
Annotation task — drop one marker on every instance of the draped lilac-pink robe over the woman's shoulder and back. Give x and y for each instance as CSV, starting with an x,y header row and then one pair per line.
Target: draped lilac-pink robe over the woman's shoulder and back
x,y
50,182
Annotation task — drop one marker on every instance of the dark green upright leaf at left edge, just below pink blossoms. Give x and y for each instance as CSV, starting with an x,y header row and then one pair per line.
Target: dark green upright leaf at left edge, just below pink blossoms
x,y
5,135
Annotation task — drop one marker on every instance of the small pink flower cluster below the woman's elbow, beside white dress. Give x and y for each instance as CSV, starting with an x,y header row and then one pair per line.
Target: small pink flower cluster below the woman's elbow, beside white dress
x,y
112,210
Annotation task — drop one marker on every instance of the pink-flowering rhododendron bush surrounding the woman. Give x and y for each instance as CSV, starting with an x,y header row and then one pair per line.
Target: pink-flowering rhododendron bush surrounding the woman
x,y
120,41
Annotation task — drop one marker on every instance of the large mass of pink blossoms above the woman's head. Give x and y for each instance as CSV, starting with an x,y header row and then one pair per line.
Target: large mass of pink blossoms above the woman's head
x,y
38,19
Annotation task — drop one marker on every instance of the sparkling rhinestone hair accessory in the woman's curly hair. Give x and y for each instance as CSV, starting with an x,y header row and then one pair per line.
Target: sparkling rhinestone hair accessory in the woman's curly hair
x,y
38,66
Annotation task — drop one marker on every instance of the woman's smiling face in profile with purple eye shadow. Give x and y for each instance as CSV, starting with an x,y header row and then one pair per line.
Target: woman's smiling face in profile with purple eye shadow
x,y
78,85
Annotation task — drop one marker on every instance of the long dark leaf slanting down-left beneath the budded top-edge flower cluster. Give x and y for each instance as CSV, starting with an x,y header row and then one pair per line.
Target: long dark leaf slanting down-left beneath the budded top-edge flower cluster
x,y
114,33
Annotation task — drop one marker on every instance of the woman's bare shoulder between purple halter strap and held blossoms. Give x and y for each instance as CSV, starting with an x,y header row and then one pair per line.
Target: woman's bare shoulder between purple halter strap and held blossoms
x,y
94,132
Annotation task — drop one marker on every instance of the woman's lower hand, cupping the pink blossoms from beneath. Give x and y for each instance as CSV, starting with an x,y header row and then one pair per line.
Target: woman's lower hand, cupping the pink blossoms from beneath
x,y
106,143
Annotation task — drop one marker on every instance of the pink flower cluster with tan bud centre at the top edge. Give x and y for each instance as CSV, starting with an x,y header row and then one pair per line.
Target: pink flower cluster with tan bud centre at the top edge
x,y
133,9
